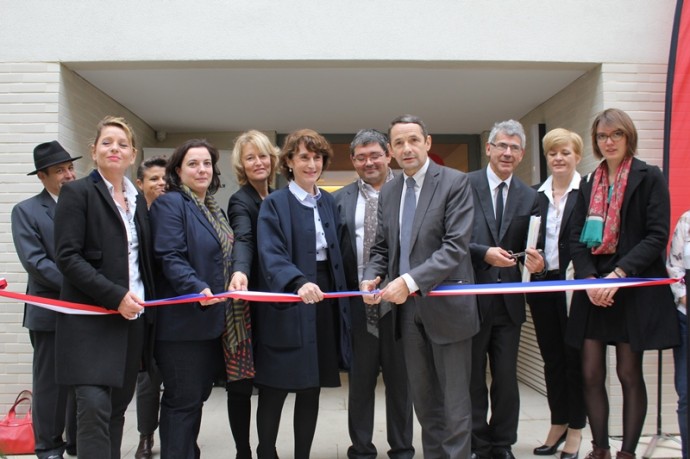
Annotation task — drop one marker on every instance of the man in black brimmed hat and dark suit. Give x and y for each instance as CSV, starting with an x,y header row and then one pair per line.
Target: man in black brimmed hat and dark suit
x,y
32,232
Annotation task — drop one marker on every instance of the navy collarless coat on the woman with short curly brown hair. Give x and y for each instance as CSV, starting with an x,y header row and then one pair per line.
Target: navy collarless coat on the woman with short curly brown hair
x,y
286,352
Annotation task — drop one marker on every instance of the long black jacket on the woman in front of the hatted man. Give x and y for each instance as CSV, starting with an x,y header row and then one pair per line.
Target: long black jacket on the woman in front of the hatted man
x,y
92,253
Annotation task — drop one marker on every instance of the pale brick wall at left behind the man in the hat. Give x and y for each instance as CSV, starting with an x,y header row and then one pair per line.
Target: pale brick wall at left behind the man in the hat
x,y
28,116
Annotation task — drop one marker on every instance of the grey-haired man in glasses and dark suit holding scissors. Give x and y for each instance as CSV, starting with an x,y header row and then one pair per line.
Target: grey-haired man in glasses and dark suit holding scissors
x,y
503,207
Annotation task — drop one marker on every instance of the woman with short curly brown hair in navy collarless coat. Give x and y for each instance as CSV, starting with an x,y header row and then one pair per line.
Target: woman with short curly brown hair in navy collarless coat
x,y
300,347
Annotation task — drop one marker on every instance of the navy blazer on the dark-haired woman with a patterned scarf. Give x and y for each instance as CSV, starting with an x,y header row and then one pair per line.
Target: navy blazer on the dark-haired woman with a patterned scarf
x,y
188,251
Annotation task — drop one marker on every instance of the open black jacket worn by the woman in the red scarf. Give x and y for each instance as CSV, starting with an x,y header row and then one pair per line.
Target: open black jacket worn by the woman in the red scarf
x,y
645,227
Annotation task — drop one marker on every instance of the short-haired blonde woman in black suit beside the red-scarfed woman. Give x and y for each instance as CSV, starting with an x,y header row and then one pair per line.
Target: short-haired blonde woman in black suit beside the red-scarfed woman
x,y
562,363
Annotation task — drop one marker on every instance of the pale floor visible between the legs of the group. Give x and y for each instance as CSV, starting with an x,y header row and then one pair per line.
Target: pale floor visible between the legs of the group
x,y
331,440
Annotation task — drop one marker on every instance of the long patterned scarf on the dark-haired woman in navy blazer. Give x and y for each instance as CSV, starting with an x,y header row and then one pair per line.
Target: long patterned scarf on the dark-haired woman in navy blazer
x,y
235,326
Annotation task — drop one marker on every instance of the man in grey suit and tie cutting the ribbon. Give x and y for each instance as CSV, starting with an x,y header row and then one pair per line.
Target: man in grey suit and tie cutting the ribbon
x,y
422,241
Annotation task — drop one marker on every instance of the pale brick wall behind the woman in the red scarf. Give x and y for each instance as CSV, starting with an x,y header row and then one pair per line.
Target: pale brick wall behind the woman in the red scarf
x,y
639,89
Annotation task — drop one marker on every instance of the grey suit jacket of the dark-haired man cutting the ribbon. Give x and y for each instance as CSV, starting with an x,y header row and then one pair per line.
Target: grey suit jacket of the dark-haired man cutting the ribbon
x,y
439,251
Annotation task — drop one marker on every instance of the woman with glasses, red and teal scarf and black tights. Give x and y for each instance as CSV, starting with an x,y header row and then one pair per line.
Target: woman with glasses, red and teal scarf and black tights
x,y
620,229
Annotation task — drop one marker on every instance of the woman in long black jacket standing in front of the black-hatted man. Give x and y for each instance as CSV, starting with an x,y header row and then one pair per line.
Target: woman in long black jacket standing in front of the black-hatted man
x,y
103,249
